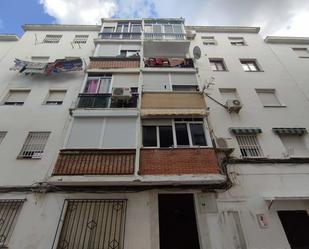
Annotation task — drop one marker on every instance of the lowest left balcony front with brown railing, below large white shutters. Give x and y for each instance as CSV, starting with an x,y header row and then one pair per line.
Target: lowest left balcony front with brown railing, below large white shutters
x,y
95,162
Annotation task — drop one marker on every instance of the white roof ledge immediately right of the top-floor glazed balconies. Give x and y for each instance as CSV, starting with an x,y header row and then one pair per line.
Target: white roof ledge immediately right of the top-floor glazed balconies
x,y
221,29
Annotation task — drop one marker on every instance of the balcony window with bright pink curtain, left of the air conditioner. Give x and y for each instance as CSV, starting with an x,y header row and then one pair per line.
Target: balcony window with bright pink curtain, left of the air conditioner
x,y
101,84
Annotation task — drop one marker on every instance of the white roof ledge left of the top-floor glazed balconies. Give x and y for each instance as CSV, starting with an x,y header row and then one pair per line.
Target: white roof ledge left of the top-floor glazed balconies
x,y
60,27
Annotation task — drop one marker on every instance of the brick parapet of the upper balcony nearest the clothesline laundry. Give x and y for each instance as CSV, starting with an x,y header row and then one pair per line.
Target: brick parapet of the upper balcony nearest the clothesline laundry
x,y
98,64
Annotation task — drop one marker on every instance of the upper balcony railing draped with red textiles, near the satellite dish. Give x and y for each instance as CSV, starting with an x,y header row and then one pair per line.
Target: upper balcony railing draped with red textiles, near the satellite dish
x,y
169,62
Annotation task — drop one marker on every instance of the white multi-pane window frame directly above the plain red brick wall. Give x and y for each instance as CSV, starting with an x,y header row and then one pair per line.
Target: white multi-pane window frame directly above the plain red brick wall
x,y
173,125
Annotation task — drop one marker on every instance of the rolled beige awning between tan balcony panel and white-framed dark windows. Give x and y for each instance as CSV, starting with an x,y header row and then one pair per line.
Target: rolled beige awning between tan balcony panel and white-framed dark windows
x,y
172,112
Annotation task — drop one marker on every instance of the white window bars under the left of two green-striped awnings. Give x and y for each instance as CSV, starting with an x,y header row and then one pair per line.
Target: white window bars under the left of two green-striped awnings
x,y
249,146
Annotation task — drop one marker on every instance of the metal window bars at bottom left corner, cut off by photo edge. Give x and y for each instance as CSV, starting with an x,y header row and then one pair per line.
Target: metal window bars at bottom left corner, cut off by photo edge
x,y
9,210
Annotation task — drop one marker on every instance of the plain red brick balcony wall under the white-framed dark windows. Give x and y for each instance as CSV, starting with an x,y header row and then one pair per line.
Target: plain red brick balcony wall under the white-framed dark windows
x,y
178,161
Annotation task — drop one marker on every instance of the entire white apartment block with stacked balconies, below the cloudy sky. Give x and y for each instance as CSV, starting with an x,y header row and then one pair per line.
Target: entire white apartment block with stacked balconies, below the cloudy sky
x,y
172,137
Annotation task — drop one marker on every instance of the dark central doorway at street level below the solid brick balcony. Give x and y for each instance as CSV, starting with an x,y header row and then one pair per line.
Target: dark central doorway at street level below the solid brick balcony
x,y
177,222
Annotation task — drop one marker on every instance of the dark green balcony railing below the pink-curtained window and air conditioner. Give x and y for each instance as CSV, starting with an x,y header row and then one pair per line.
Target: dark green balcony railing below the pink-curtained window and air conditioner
x,y
105,100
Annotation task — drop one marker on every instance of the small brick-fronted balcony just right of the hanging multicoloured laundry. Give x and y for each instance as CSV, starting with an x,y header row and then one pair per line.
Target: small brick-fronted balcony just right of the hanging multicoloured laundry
x,y
114,62
